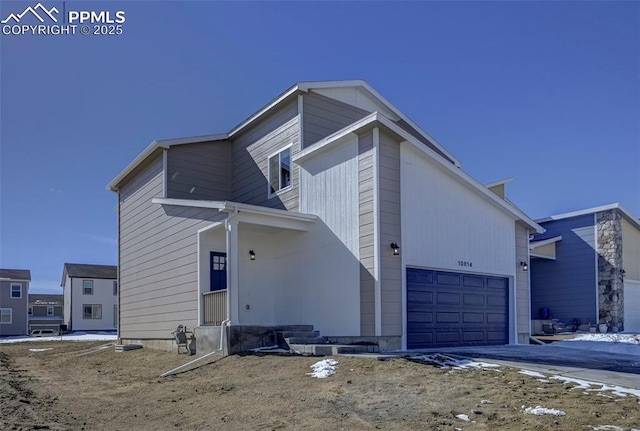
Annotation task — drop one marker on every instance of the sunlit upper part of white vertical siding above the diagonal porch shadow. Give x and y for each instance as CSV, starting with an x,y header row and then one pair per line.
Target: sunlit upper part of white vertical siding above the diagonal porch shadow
x,y
329,189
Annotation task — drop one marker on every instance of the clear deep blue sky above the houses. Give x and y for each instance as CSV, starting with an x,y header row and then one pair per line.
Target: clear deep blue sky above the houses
x,y
546,92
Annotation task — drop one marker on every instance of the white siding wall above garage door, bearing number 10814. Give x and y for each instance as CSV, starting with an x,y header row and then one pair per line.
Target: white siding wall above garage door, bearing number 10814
x,y
444,221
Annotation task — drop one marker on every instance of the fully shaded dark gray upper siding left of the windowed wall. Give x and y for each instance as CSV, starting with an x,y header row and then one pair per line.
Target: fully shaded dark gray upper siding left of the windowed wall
x,y
199,171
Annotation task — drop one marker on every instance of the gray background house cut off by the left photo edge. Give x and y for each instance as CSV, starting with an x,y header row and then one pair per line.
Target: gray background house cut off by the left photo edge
x,y
14,292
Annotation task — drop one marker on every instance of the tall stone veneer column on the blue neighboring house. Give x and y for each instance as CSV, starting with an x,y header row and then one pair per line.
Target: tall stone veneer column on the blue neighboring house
x,y
610,282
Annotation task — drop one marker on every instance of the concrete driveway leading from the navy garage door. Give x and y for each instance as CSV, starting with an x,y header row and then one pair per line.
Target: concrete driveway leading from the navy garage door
x,y
595,366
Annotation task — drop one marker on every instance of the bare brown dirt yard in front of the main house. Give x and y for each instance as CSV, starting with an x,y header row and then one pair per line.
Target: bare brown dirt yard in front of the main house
x,y
58,390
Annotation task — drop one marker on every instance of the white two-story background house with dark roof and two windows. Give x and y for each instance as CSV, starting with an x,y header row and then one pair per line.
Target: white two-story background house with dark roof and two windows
x,y
90,297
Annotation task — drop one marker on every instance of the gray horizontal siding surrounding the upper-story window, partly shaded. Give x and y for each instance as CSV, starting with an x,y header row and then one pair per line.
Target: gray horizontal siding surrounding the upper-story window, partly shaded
x,y
250,153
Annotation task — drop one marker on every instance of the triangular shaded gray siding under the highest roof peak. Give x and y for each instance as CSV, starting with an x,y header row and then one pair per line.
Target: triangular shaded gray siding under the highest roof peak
x,y
324,116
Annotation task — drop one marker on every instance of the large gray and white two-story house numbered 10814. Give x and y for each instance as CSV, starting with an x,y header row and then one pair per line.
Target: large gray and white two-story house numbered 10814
x,y
328,207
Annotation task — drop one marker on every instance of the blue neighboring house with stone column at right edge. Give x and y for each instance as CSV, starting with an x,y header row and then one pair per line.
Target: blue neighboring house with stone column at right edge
x,y
586,266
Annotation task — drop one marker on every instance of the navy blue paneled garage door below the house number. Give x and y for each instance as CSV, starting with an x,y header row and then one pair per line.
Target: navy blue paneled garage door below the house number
x,y
454,309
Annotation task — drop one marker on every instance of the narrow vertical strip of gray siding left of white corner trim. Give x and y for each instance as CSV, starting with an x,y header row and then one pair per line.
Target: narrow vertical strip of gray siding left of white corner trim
x,y
365,193
